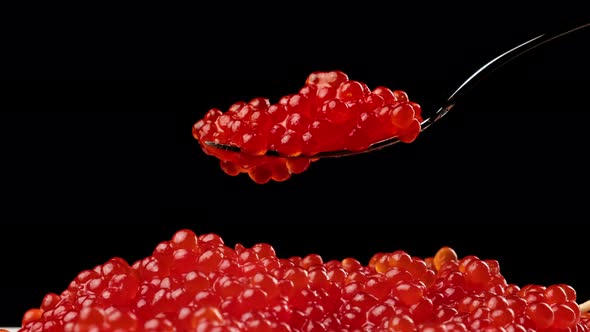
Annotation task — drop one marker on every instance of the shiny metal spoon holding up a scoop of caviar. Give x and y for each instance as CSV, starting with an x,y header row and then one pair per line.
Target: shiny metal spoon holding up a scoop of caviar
x,y
426,119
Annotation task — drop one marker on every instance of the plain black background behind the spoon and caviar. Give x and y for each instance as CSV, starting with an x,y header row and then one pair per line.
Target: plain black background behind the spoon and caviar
x,y
98,159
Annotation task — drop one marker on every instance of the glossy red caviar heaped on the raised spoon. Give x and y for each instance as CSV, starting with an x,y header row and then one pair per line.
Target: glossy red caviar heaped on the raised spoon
x,y
330,112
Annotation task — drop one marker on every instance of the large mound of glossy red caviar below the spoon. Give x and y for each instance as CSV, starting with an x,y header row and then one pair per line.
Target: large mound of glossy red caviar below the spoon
x,y
196,283
